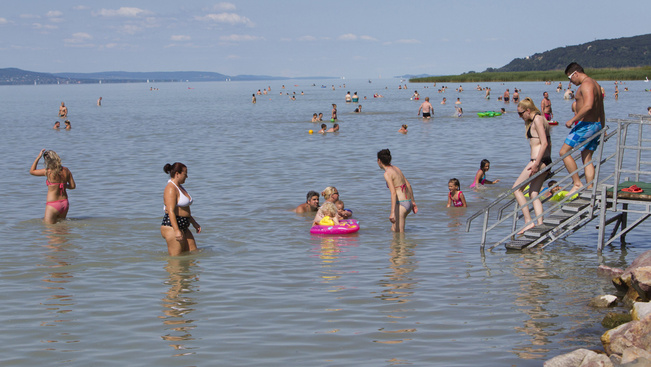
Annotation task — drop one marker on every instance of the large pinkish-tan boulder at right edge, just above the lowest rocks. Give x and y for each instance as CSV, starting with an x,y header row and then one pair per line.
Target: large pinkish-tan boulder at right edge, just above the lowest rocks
x,y
632,334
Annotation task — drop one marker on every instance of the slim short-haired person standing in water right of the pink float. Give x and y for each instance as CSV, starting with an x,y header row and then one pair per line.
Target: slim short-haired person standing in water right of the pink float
x,y
402,196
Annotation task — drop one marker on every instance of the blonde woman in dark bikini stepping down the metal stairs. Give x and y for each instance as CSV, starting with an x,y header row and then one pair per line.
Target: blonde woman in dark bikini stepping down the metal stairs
x,y
537,132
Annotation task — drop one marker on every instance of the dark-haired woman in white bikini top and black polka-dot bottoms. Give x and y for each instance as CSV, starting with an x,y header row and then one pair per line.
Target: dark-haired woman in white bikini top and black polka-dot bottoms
x,y
177,220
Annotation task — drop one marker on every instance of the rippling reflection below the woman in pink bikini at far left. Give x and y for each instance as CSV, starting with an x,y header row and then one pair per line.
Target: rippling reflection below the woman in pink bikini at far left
x,y
58,261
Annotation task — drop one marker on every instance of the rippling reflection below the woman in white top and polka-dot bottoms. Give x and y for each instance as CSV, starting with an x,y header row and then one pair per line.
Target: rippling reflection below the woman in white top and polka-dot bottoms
x,y
178,303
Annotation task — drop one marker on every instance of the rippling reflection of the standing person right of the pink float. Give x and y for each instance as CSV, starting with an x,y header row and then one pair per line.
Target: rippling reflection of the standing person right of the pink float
x,y
398,287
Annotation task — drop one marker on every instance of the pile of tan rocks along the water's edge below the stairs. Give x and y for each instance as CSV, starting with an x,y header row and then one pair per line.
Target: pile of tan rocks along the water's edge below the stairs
x,y
629,343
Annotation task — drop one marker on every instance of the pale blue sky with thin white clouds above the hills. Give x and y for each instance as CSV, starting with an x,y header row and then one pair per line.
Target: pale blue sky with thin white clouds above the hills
x,y
302,38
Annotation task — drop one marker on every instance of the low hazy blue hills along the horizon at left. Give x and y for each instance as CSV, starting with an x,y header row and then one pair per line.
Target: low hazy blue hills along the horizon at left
x,y
13,76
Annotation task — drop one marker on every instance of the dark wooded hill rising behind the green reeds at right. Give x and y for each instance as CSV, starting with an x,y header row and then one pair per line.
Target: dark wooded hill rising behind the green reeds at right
x,y
613,53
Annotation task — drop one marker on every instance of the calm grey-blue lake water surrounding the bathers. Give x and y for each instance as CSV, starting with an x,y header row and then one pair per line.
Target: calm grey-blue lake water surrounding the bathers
x,y
99,288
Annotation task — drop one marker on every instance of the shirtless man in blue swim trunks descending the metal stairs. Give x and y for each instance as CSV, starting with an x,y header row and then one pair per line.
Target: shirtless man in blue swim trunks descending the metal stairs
x,y
588,120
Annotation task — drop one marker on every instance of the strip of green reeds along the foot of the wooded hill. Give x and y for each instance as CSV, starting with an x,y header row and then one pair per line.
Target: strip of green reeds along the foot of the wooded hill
x,y
638,73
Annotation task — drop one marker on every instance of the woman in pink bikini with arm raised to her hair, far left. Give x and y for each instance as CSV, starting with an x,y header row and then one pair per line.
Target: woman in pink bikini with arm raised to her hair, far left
x,y
58,179
